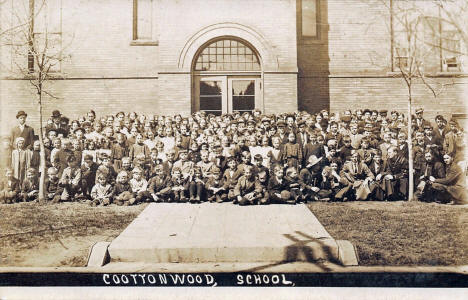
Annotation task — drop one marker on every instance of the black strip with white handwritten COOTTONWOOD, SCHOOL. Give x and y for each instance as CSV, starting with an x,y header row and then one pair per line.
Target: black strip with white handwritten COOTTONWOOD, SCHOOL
x,y
361,279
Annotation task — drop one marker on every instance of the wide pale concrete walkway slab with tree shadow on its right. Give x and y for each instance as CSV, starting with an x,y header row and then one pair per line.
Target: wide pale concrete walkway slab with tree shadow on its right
x,y
227,233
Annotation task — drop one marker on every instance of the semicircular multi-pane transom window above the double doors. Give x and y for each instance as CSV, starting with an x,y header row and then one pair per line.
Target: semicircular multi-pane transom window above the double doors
x,y
227,55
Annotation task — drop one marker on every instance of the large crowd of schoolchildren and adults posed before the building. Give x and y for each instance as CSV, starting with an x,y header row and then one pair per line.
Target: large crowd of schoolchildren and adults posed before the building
x,y
245,158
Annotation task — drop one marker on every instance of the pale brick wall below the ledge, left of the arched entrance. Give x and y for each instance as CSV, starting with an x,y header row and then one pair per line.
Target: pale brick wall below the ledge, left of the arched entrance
x,y
76,97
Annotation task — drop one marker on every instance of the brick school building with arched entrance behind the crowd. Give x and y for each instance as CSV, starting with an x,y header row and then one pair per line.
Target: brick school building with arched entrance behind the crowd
x,y
181,56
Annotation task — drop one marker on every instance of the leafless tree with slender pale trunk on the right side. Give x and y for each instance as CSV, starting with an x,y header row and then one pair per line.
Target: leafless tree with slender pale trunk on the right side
x,y
425,38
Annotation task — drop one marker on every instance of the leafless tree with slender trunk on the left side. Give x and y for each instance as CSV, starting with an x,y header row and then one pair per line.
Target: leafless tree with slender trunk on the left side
x,y
33,39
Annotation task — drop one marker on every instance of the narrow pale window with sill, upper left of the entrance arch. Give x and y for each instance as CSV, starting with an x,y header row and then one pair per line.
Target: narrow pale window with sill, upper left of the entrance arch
x,y
143,20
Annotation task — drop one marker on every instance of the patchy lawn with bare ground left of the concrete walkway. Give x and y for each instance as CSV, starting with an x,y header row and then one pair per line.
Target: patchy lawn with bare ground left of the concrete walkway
x,y
57,234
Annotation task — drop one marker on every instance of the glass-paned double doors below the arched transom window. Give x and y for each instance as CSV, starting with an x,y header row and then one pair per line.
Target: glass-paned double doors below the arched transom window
x,y
226,94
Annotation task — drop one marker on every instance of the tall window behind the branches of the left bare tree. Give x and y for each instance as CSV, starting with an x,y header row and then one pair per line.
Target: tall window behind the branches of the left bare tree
x,y
46,34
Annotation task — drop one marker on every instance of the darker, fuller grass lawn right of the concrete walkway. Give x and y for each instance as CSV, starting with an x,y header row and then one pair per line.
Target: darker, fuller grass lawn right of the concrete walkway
x,y
399,233
